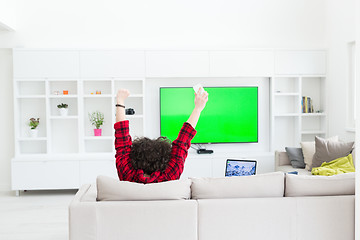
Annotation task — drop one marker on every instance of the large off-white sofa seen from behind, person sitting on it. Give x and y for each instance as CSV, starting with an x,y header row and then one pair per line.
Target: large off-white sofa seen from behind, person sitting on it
x,y
231,208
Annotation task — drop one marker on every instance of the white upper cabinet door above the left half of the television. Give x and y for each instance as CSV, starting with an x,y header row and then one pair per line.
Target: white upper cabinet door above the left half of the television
x,y
177,64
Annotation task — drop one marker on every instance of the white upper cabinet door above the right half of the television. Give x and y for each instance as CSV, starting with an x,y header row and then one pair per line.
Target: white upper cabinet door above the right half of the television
x,y
241,63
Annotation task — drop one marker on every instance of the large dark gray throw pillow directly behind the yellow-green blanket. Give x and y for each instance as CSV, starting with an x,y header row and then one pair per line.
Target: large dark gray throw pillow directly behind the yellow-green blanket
x,y
326,151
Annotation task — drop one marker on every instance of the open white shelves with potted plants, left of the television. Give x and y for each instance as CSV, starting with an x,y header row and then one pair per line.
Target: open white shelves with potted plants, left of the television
x,y
62,133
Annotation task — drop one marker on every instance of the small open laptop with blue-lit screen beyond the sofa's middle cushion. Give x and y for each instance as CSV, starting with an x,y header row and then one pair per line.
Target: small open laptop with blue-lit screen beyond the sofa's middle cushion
x,y
240,167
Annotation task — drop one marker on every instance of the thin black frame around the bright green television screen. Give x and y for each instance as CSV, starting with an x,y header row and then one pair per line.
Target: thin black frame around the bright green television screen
x,y
257,120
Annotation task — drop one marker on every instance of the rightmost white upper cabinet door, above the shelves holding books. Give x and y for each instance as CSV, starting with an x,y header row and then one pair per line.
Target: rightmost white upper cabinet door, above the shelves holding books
x,y
300,62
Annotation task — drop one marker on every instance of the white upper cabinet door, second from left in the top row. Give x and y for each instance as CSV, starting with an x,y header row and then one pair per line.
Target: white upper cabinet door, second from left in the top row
x,y
107,64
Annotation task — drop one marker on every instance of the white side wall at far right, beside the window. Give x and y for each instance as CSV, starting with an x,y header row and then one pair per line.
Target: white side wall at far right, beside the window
x,y
340,31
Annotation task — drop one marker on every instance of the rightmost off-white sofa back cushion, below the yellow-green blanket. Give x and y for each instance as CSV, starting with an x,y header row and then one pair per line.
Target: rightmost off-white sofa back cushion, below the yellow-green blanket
x,y
303,185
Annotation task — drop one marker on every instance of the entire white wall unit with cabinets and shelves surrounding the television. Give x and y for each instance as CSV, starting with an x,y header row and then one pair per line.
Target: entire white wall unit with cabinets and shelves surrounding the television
x,y
66,154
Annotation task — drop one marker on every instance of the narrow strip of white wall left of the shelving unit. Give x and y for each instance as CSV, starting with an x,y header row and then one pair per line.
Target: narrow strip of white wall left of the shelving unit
x,y
6,117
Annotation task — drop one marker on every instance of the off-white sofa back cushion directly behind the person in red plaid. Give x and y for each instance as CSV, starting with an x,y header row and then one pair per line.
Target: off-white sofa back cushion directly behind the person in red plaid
x,y
110,189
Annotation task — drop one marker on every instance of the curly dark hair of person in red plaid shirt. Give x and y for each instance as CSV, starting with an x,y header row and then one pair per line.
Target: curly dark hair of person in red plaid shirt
x,y
150,155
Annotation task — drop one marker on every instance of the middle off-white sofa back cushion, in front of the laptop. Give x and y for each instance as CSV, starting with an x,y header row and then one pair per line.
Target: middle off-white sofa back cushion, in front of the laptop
x,y
262,185
